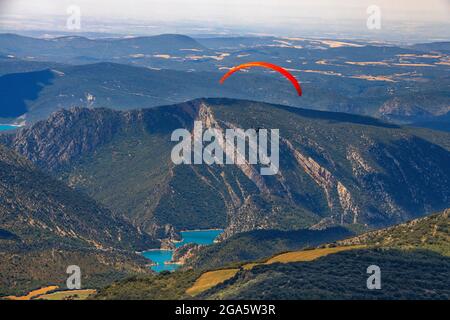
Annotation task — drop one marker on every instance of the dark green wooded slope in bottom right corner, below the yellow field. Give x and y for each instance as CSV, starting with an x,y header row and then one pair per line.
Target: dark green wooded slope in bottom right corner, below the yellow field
x,y
405,275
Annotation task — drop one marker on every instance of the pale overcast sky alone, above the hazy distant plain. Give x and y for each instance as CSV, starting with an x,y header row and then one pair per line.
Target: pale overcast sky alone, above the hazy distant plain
x,y
283,13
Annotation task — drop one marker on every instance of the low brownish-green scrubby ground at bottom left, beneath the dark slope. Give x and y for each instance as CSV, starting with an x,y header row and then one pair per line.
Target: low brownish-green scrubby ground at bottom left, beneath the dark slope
x,y
25,268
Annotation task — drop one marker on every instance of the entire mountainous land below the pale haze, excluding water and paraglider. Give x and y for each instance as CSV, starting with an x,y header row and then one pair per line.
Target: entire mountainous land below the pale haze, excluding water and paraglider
x,y
89,178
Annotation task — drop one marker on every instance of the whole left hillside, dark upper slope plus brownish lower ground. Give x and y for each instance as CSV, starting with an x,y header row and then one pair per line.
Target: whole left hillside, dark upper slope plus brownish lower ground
x,y
46,226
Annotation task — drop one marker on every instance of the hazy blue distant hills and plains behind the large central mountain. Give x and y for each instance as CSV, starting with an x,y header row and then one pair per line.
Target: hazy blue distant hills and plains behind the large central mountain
x,y
402,84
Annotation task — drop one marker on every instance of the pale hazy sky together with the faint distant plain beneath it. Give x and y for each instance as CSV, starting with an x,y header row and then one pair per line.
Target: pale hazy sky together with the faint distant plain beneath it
x,y
401,20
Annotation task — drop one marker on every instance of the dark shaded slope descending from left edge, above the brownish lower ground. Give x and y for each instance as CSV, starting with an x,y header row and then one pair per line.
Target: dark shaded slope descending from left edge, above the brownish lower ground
x,y
41,211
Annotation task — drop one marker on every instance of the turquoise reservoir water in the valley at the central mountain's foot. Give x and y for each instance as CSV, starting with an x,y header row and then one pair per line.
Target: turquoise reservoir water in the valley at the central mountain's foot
x,y
161,257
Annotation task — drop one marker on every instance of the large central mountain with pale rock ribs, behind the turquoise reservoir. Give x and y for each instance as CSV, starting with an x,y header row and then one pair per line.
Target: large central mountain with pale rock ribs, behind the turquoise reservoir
x,y
334,168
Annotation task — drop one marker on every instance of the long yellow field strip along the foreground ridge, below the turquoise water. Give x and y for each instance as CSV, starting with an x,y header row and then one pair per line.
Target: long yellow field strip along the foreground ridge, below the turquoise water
x,y
210,279
